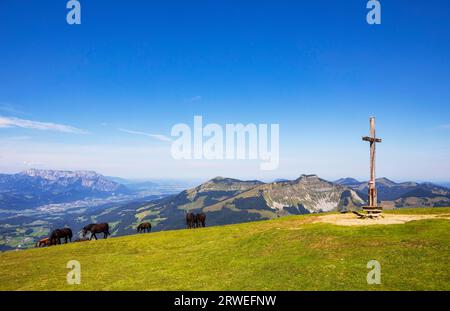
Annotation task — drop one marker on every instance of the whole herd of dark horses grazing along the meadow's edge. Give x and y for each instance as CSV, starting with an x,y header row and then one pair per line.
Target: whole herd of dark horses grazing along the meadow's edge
x,y
192,221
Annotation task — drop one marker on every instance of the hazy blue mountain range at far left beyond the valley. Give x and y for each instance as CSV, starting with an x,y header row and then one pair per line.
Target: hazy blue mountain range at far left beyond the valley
x,y
34,188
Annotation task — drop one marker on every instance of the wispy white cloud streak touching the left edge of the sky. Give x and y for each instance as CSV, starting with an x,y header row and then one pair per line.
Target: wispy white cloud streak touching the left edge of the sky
x,y
7,122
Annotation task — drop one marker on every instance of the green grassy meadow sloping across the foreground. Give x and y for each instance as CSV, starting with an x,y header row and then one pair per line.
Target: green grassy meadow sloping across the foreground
x,y
289,253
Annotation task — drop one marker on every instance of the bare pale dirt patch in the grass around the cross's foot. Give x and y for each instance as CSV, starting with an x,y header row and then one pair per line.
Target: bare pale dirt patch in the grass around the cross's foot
x,y
349,219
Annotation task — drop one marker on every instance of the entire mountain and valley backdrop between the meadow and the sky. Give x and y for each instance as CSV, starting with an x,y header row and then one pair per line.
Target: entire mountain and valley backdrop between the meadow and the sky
x,y
34,202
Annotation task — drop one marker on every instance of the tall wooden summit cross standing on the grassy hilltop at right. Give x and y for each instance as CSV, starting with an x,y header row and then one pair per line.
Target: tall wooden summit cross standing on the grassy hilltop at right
x,y
373,207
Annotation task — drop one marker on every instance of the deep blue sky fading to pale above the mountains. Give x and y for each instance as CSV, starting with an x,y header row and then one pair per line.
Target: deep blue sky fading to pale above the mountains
x,y
314,67
